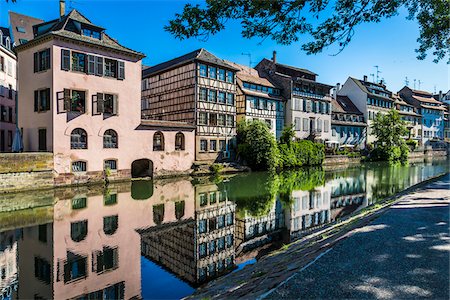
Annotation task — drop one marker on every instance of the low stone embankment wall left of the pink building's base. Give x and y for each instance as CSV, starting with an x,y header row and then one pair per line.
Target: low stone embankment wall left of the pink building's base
x,y
23,171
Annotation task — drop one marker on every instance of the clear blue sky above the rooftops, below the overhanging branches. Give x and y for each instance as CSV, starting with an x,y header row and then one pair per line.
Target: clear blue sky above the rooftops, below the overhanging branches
x,y
139,25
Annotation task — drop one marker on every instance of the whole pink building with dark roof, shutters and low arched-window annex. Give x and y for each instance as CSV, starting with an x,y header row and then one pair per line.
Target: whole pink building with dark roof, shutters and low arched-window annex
x,y
81,101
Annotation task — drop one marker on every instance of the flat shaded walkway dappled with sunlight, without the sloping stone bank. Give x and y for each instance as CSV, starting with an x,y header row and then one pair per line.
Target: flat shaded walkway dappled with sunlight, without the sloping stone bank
x,y
403,254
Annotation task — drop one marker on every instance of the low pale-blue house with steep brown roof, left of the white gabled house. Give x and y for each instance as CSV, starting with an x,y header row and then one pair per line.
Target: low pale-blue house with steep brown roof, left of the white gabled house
x,y
348,127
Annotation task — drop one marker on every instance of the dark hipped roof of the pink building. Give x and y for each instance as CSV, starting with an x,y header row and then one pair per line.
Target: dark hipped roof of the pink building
x,y
60,27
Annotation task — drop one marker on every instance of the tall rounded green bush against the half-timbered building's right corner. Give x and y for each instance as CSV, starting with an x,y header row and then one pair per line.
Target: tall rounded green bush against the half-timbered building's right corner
x,y
257,146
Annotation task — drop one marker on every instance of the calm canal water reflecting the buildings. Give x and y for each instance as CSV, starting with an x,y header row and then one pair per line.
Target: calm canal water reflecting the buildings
x,y
163,239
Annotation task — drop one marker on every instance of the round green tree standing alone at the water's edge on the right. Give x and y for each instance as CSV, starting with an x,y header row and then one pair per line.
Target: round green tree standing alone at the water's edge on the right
x,y
389,131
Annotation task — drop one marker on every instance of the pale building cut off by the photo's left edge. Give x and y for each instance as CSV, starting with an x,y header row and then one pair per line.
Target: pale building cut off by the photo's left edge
x,y
8,90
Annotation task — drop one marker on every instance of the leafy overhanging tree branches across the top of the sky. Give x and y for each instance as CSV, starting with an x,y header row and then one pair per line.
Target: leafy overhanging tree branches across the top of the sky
x,y
284,21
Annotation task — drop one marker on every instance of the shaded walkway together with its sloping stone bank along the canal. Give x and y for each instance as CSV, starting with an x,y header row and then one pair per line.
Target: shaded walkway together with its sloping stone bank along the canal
x,y
357,257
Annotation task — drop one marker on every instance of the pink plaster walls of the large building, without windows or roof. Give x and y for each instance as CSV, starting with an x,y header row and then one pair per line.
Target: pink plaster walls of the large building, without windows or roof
x,y
133,144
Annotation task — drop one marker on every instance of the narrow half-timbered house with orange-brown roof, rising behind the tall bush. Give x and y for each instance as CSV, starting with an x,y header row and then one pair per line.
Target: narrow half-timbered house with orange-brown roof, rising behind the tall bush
x,y
258,99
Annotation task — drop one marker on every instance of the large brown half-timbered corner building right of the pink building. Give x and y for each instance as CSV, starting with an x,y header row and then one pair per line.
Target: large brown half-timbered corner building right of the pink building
x,y
200,89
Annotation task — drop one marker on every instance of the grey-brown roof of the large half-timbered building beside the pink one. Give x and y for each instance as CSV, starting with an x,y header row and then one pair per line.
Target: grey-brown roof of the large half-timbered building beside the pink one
x,y
198,55
